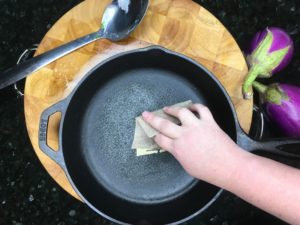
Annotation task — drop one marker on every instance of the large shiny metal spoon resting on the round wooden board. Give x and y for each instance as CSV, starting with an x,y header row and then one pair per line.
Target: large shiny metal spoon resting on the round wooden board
x,y
120,18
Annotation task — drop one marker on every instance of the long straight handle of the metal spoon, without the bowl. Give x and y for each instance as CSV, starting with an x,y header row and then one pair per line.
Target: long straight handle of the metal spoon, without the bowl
x,y
22,70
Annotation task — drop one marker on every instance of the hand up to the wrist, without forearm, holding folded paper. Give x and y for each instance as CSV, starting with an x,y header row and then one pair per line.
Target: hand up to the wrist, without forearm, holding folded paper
x,y
199,144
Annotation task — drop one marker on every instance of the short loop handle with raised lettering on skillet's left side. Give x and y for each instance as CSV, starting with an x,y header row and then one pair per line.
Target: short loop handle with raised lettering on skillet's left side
x,y
56,156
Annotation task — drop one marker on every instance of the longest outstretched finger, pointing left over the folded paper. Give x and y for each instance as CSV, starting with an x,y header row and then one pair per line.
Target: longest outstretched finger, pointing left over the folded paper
x,y
164,126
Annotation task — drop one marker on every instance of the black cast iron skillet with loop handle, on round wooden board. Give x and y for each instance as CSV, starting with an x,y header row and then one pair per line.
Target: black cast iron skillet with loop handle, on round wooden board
x,y
97,127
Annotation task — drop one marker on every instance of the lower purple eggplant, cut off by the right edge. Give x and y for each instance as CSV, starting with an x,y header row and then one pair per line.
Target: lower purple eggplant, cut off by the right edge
x,y
282,105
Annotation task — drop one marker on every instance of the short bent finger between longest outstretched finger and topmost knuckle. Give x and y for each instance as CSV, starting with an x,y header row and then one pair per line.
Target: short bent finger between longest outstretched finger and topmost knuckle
x,y
185,116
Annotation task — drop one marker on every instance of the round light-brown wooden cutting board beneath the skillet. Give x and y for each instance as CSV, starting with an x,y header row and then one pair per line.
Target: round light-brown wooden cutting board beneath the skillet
x,y
180,25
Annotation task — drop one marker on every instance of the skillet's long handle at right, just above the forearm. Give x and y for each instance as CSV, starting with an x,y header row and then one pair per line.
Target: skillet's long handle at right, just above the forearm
x,y
287,147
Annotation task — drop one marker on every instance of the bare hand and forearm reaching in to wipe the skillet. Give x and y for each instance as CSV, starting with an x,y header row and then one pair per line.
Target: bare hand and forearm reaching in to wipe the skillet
x,y
207,153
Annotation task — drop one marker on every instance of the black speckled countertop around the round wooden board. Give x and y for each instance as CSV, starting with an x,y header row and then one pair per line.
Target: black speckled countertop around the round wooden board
x,y
28,195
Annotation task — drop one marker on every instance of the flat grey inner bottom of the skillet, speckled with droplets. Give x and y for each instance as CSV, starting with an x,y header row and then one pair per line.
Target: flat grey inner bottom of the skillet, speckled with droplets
x,y
108,128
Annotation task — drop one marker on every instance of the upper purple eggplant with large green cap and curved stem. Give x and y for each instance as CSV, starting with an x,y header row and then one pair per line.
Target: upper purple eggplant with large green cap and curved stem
x,y
270,51
